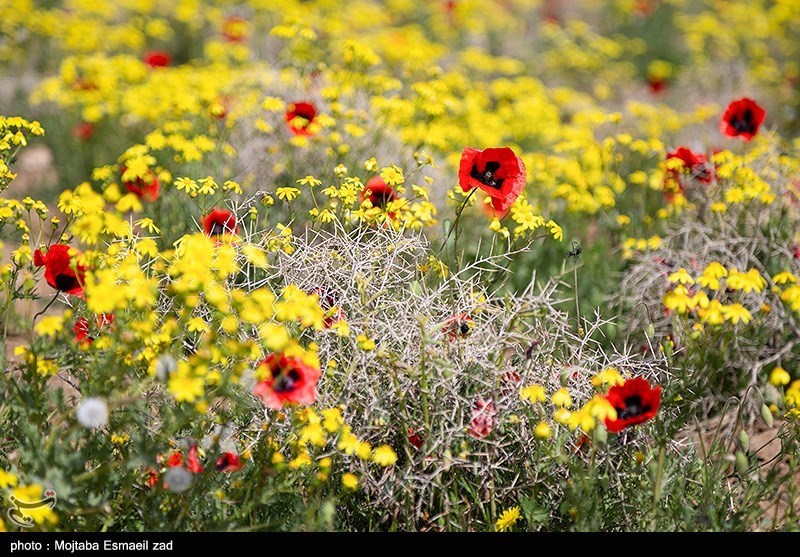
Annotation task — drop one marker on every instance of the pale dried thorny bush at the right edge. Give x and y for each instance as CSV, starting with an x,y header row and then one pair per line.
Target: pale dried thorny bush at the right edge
x,y
747,236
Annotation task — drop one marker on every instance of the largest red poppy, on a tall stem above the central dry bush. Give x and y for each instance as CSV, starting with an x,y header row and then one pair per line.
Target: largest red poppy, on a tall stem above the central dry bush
x,y
497,171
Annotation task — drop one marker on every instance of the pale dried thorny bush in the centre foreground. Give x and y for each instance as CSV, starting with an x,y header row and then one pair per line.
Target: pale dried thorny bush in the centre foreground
x,y
424,378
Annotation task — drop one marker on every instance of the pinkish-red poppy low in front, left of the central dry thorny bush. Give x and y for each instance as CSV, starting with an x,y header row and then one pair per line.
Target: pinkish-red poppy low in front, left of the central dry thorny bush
x,y
290,381
